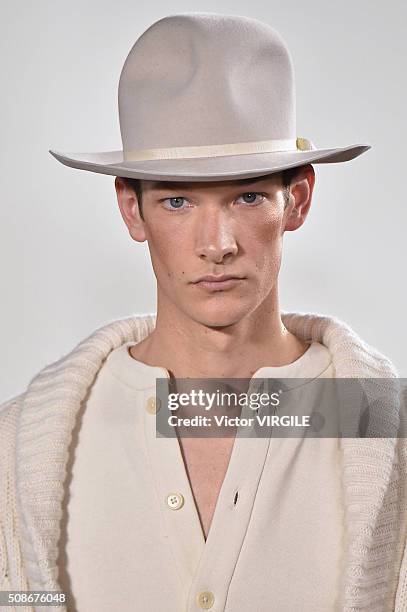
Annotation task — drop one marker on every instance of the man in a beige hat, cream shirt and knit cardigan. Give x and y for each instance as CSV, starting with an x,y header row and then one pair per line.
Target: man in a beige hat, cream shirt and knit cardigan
x,y
94,503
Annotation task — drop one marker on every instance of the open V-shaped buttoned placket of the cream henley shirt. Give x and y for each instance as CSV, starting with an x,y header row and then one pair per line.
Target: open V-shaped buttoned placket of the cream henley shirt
x,y
205,568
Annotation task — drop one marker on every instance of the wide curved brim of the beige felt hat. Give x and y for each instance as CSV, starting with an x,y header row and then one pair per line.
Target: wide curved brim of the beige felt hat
x,y
205,168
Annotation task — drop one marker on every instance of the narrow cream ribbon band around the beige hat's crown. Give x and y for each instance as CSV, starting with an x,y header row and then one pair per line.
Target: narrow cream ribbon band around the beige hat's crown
x,y
238,148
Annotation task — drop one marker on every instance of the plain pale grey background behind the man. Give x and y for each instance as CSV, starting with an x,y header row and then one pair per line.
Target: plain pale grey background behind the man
x,y
68,264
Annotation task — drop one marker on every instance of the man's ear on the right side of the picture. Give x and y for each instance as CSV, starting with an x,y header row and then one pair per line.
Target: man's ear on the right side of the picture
x,y
301,190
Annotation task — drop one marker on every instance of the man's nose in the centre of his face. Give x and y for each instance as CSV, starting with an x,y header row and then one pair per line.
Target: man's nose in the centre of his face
x,y
215,239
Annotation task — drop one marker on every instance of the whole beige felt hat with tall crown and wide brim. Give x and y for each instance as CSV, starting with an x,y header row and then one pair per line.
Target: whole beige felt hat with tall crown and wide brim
x,y
207,97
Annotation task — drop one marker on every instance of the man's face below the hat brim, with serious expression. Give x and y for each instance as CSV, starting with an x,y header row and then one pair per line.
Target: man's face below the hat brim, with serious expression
x,y
216,229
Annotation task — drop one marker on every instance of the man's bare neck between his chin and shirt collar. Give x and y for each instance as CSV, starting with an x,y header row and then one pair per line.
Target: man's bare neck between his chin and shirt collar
x,y
190,349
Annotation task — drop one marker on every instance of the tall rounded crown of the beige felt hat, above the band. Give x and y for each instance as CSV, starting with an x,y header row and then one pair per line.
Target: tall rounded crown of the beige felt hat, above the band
x,y
198,79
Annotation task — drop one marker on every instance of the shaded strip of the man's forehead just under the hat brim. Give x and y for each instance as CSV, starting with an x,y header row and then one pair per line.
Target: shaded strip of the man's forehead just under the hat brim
x,y
257,181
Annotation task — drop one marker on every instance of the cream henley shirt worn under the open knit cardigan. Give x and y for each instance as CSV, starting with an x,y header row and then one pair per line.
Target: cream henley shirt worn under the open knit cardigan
x,y
131,536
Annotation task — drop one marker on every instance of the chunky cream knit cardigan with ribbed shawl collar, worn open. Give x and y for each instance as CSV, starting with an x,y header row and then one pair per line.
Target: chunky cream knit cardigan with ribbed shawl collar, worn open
x,y
36,432
